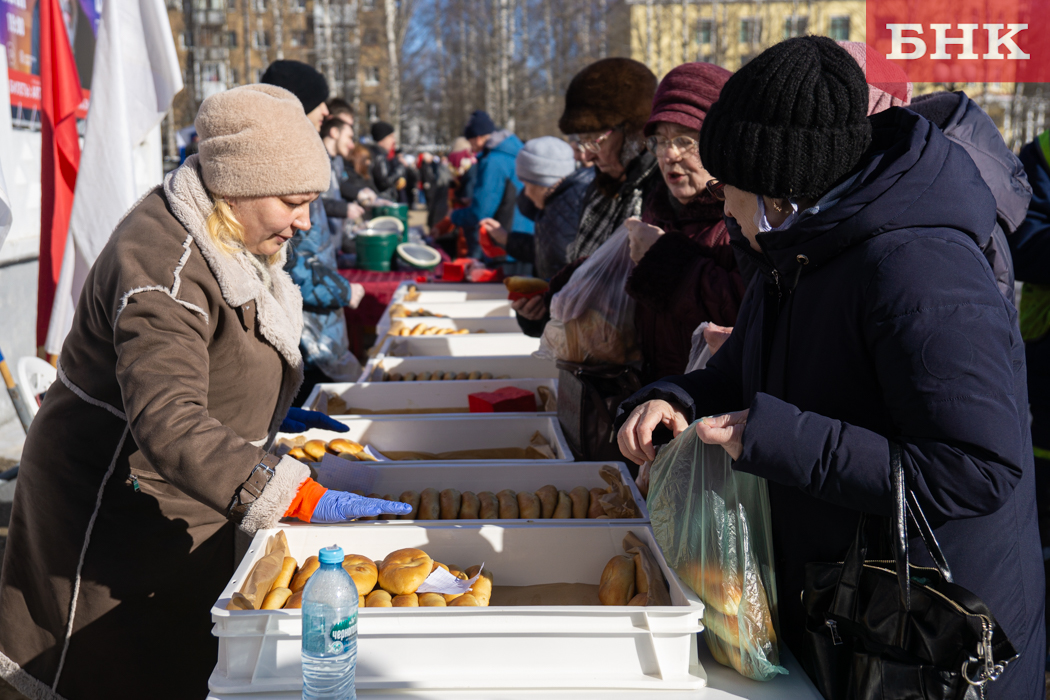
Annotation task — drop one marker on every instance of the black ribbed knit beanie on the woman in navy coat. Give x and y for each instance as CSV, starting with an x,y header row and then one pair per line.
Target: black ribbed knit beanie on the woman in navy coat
x,y
791,122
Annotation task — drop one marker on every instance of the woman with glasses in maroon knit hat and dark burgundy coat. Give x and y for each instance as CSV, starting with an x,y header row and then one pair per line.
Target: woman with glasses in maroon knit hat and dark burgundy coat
x,y
686,271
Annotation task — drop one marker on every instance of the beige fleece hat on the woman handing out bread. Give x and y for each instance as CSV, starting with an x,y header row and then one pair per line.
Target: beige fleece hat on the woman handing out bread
x,y
257,142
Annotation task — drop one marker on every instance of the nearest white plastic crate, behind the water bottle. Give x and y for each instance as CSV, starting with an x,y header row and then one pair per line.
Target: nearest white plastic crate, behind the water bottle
x,y
556,647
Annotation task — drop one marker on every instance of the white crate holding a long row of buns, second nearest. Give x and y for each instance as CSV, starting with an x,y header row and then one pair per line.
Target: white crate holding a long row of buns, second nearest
x,y
396,478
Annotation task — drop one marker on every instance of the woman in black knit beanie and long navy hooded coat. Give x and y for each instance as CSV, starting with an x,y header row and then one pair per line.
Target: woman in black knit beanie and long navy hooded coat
x,y
875,317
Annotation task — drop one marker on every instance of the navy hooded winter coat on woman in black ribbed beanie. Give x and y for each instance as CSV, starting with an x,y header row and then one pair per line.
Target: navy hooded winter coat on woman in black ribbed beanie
x,y
878,317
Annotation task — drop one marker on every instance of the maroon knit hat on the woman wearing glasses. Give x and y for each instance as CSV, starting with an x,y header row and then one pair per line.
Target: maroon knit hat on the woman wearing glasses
x,y
686,95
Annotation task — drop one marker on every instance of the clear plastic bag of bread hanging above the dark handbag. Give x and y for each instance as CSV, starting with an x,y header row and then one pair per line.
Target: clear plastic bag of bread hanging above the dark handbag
x,y
593,317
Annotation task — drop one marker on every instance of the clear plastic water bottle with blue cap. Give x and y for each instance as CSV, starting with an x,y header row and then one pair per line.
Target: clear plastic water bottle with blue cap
x,y
329,631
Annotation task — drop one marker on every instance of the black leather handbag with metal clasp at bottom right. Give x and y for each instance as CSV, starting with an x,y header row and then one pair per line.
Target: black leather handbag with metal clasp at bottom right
x,y
886,630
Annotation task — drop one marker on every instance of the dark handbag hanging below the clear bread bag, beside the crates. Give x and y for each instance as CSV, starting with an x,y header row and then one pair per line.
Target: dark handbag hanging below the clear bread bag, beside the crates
x,y
589,397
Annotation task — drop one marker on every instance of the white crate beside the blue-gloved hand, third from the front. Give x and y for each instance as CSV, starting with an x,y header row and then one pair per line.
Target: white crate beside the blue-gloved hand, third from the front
x,y
449,433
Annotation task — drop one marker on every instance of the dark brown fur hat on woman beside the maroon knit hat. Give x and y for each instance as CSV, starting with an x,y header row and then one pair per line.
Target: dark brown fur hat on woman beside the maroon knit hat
x,y
608,94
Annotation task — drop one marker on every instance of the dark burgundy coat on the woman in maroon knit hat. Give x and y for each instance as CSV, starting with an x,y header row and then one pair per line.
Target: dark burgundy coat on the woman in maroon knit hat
x,y
688,277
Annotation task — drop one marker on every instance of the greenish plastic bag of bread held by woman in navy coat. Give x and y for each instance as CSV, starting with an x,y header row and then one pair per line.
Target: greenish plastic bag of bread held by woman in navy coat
x,y
713,526
